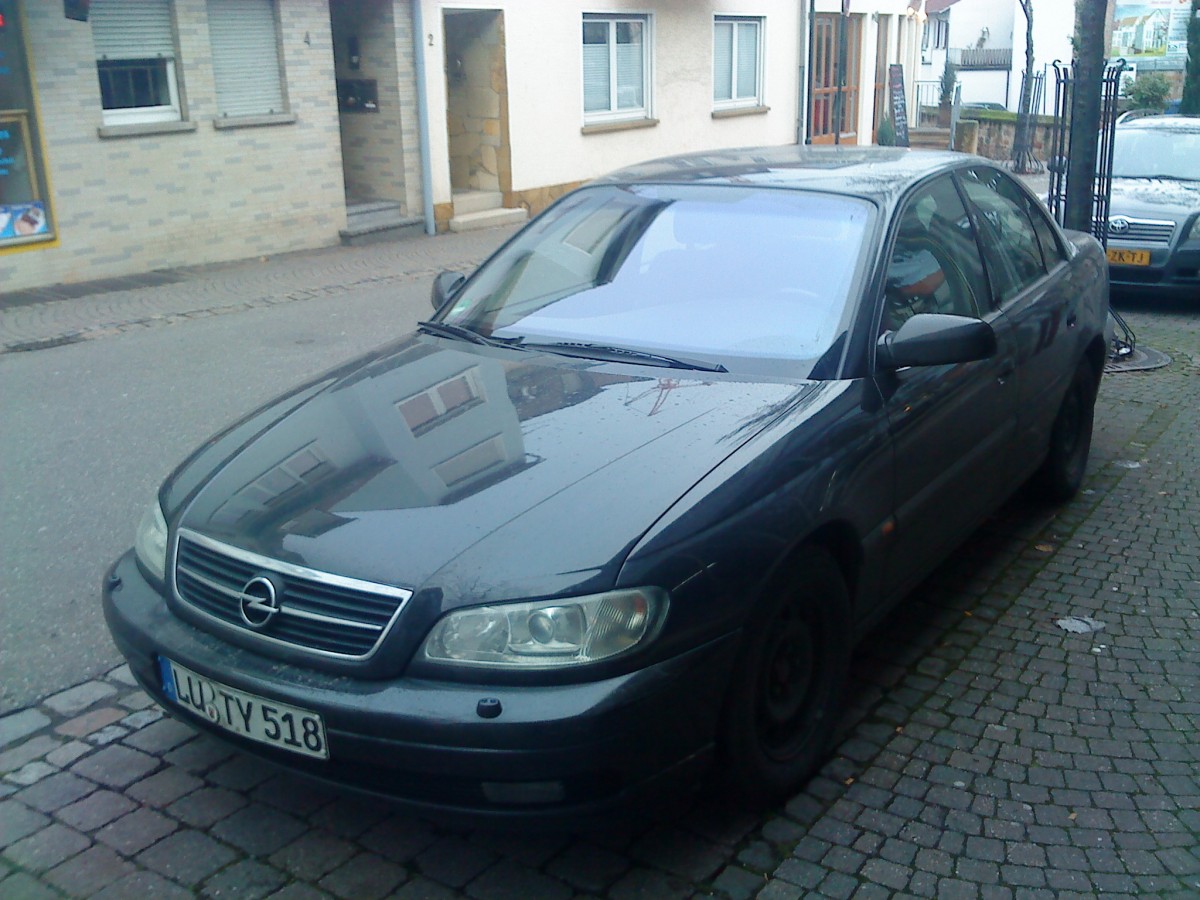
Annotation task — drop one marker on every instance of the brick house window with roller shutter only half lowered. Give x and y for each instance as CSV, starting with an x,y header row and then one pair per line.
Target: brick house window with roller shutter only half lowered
x,y
135,43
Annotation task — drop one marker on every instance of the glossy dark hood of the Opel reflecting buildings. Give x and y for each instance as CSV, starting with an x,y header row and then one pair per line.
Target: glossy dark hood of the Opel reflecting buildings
x,y
479,472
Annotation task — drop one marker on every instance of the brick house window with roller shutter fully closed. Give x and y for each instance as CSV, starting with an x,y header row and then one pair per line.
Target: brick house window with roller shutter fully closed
x,y
244,35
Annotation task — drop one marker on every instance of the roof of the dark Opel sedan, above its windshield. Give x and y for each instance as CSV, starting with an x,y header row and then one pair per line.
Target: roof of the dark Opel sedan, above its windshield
x,y
880,173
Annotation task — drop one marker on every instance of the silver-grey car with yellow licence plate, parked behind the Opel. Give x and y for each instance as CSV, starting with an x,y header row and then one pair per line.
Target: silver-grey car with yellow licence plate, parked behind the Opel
x,y
1155,211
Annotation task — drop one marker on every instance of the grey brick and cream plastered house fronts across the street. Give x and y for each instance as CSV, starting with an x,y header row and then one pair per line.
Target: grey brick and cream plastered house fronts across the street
x,y
145,135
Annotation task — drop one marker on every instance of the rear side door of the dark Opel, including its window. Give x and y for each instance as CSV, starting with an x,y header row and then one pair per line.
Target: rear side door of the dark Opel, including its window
x,y
1033,284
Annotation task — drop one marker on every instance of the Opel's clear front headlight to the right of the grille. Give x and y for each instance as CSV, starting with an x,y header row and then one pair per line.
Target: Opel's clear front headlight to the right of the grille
x,y
549,634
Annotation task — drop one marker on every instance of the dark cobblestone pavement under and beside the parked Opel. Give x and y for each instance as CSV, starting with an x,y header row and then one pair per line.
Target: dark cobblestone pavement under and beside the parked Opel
x,y
989,752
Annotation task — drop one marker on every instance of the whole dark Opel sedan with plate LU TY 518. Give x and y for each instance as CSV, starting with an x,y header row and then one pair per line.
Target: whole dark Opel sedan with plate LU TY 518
x,y
622,507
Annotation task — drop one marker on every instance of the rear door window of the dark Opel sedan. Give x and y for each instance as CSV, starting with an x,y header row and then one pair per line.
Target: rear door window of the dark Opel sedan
x,y
1011,245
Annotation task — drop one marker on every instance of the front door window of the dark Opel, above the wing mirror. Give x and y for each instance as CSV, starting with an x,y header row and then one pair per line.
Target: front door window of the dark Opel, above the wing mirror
x,y
935,260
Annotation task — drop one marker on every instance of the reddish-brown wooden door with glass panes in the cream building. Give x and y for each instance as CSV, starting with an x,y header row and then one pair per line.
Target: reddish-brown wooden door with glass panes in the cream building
x,y
824,83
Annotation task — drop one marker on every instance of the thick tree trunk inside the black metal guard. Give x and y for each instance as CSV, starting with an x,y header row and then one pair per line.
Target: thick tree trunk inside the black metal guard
x,y
1085,113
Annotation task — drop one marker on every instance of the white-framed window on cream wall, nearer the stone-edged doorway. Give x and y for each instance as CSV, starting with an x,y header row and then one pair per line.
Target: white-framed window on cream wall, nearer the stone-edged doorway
x,y
616,67
